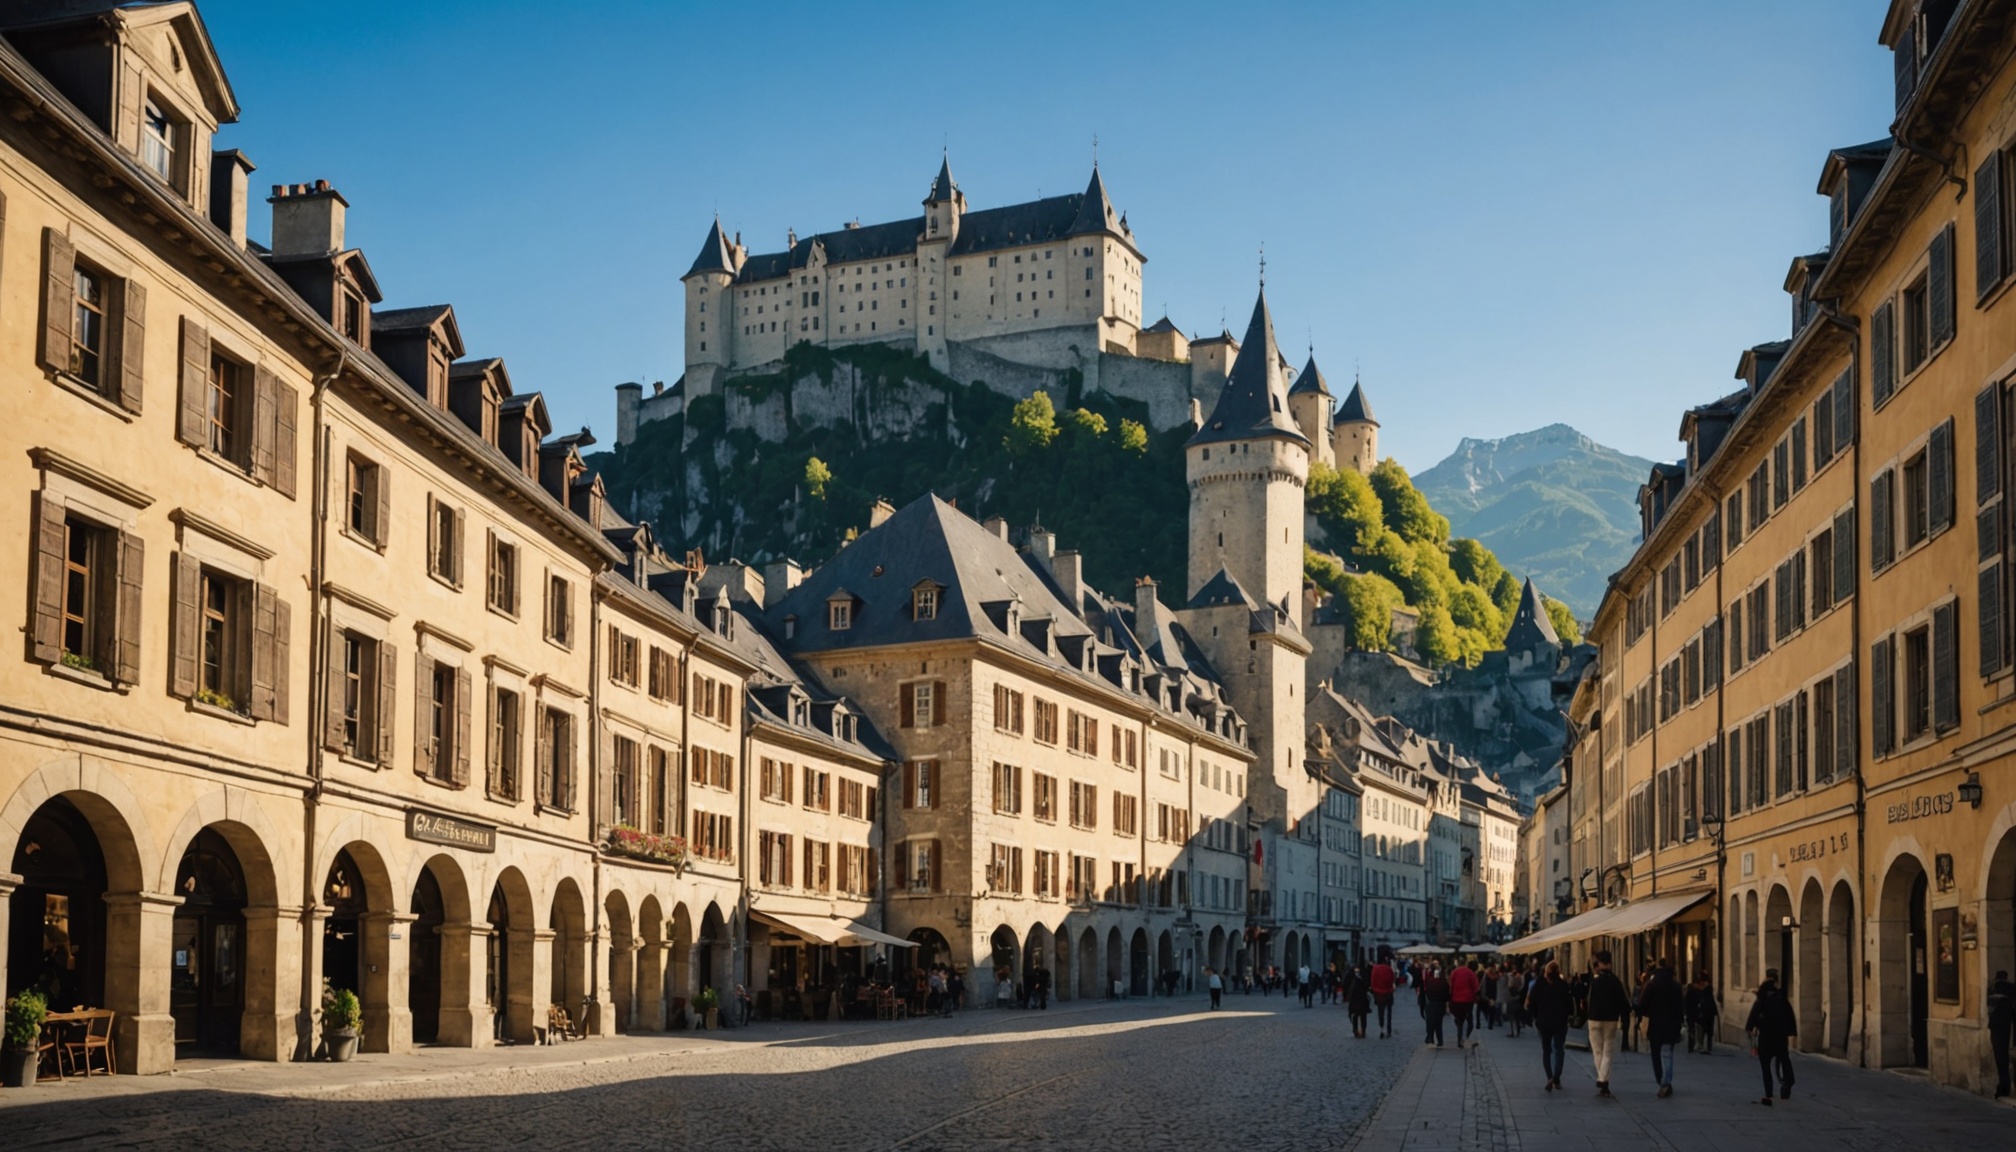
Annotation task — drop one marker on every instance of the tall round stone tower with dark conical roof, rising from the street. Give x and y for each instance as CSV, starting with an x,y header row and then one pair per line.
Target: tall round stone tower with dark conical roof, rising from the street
x,y
1247,471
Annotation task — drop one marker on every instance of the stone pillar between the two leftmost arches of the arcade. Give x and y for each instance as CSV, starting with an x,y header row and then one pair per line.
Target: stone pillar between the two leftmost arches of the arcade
x,y
140,933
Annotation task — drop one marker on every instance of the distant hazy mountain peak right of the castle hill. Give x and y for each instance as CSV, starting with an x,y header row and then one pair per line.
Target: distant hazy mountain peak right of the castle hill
x,y
1549,503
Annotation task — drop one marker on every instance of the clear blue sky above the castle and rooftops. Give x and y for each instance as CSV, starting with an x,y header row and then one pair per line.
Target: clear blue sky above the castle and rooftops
x,y
1503,213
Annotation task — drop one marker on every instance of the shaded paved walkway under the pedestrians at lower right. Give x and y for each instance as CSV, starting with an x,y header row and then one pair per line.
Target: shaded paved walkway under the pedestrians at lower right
x,y
1491,1099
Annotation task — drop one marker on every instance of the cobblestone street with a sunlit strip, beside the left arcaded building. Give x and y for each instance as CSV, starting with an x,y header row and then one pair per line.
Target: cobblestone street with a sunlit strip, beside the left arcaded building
x,y
1142,1074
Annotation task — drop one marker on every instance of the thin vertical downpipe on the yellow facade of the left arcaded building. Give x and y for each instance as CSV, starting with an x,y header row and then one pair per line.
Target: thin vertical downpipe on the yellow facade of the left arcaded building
x,y
318,703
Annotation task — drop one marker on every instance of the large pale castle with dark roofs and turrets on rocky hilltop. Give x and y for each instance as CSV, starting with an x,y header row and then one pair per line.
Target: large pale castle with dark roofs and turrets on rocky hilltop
x,y
1037,296
